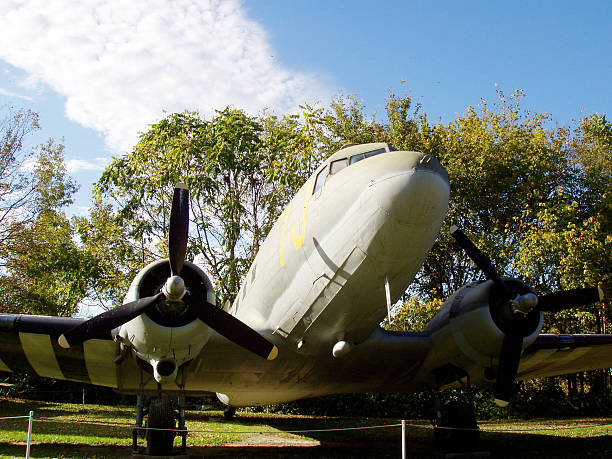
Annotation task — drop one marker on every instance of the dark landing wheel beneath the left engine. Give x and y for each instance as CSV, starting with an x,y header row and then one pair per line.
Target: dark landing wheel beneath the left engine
x,y
161,416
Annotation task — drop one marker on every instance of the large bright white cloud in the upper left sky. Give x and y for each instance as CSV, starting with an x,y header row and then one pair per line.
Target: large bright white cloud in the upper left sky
x,y
120,64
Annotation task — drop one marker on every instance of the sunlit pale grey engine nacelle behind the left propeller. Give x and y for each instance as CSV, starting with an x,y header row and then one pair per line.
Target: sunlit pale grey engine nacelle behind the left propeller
x,y
169,334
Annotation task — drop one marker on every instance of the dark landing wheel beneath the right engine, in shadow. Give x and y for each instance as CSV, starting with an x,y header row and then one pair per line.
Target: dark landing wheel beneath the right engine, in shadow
x,y
458,415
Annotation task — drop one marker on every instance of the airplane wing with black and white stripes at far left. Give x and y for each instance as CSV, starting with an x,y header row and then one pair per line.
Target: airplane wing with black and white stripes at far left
x,y
28,343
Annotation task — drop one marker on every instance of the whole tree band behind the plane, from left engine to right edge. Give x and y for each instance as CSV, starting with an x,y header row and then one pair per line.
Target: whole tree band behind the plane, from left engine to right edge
x,y
514,181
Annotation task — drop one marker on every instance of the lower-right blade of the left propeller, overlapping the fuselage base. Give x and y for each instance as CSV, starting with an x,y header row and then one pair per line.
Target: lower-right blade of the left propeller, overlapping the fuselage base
x,y
233,329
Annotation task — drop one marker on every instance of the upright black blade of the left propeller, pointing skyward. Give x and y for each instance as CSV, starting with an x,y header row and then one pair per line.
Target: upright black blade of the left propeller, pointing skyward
x,y
179,228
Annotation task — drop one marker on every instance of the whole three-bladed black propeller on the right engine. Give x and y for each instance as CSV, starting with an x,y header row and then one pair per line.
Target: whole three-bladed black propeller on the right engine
x,y
519,305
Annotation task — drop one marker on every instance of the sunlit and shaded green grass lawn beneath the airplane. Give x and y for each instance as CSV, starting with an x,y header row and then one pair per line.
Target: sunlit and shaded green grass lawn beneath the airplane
x,y
61,431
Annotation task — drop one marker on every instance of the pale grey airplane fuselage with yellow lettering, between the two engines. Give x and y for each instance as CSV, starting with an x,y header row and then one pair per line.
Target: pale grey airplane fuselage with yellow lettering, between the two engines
x,y
319,277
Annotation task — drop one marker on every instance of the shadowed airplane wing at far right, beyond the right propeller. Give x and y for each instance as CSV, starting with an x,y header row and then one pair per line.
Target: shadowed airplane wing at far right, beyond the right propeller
x,y
552,355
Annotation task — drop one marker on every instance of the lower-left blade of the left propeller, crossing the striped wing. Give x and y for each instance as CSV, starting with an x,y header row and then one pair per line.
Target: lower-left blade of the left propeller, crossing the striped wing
x,y
107,321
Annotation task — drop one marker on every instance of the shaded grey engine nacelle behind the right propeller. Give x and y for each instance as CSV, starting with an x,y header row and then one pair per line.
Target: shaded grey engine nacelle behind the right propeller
x,y
470,327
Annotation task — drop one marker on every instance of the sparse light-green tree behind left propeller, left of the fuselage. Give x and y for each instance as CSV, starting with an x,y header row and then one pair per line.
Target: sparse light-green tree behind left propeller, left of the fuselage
x,y
241,171
